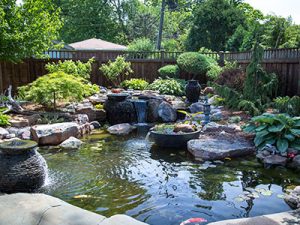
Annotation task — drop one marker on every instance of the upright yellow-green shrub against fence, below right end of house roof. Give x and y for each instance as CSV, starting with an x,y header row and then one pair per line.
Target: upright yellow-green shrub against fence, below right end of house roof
x,y
113,70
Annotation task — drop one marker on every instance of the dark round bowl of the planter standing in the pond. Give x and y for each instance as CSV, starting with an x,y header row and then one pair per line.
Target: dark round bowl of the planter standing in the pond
x,y
173,140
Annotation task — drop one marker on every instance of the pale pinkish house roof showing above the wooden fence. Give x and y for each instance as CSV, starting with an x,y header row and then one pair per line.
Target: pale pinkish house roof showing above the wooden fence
x,y
96,44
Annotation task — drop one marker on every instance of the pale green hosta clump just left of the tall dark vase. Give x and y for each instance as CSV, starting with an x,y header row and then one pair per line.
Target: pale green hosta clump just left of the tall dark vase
x,y
168,86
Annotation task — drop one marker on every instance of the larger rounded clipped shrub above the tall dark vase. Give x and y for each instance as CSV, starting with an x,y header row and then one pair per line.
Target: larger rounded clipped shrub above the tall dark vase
x,y
193,63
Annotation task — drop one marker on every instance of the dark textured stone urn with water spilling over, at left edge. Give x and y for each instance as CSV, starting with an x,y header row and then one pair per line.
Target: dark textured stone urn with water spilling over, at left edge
x,y
22,168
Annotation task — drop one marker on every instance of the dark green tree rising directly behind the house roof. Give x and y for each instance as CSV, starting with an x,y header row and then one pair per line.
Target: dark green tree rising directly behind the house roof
x,y
88,19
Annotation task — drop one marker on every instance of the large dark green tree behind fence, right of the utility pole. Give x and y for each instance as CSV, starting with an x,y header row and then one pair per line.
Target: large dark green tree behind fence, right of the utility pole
x,y
214,23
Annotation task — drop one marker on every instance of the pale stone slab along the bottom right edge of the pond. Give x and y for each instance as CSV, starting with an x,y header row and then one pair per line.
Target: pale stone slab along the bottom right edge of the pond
x,y
285,218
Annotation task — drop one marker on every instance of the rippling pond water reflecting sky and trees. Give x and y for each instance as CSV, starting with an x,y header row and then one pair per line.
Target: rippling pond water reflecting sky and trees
x,y
129,175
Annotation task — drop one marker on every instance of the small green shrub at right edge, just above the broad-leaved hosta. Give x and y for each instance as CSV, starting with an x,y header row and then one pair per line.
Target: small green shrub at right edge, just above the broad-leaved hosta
x,y
288,105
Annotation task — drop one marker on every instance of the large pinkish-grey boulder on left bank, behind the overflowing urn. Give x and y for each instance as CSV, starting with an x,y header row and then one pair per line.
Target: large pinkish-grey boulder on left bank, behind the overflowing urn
x,y
54,134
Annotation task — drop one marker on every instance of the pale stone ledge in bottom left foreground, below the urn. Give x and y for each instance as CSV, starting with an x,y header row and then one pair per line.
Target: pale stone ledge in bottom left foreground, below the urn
x,y
31,209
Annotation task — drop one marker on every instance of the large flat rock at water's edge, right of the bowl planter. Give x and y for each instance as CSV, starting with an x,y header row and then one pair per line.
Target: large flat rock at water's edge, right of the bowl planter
x,y
211,148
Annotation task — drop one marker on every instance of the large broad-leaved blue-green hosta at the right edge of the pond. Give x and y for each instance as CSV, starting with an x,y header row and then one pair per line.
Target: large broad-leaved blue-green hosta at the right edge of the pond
x,y
280,130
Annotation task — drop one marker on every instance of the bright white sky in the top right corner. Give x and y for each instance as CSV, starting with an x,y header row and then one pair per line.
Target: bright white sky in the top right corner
x,y
283,8
